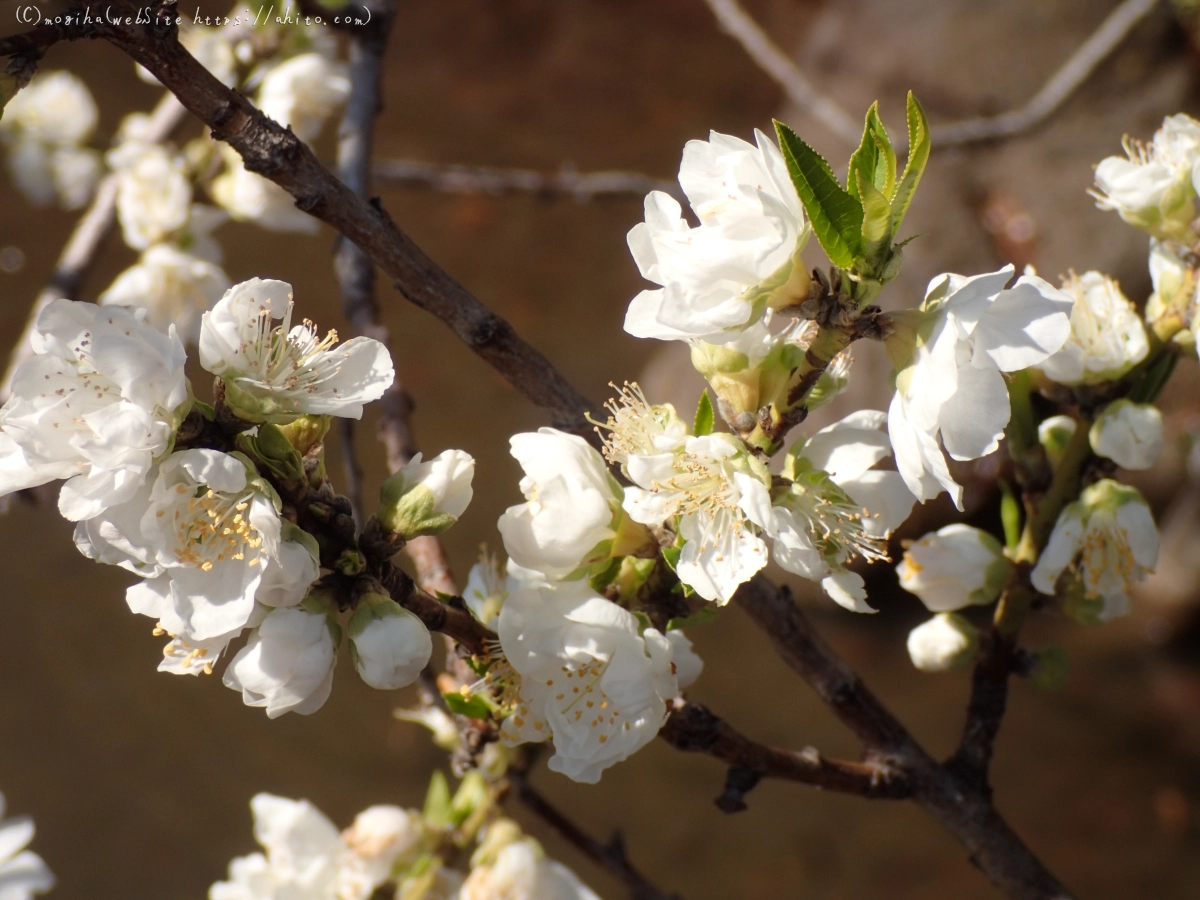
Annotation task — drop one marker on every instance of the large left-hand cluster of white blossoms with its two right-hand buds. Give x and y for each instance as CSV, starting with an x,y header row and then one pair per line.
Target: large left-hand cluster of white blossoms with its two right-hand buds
x,y
100,405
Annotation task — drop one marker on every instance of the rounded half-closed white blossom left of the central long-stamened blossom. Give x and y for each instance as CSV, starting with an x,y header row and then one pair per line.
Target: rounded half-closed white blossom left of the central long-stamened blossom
x,y
571,506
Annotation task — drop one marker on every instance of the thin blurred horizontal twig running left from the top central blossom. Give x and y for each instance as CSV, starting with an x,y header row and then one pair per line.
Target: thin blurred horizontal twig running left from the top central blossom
x,y
491,181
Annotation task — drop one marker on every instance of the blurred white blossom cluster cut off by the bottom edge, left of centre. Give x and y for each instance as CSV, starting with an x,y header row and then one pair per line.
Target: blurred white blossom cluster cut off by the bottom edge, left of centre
x,y
304,857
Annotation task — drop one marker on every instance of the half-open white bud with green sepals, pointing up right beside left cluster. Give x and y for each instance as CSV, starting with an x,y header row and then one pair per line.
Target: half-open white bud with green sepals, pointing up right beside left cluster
x,y
428,497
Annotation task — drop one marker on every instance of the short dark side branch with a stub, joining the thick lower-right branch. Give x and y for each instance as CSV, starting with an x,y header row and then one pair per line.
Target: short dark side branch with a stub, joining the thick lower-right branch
x,y
694,729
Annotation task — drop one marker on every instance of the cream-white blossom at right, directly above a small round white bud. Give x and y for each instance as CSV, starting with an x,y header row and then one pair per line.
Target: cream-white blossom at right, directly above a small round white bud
x,y
1107,335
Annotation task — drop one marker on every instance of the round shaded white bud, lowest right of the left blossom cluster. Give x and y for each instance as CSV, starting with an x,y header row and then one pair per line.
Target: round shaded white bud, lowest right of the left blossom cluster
x,y
389,645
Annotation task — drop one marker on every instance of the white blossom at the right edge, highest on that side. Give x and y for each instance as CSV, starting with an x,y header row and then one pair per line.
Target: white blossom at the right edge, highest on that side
x,y
1154,188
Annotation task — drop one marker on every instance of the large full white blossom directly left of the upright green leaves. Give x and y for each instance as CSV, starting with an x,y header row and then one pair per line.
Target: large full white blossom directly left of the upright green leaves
x,y
742,259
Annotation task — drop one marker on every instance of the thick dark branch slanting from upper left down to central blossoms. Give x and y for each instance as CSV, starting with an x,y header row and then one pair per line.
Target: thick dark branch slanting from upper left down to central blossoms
x,y
277,154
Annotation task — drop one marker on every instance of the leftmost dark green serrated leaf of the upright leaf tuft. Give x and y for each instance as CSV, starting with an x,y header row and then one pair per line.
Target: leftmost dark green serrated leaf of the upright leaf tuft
x,y
836,215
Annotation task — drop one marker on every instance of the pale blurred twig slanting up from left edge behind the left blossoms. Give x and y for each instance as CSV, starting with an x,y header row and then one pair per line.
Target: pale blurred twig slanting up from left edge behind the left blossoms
x,y
81,250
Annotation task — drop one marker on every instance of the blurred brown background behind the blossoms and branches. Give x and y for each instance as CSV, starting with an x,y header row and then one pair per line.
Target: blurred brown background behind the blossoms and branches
x,y
140,782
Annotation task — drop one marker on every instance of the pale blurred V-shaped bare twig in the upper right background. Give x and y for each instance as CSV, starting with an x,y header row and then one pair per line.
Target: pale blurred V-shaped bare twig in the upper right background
x,y
779,65
